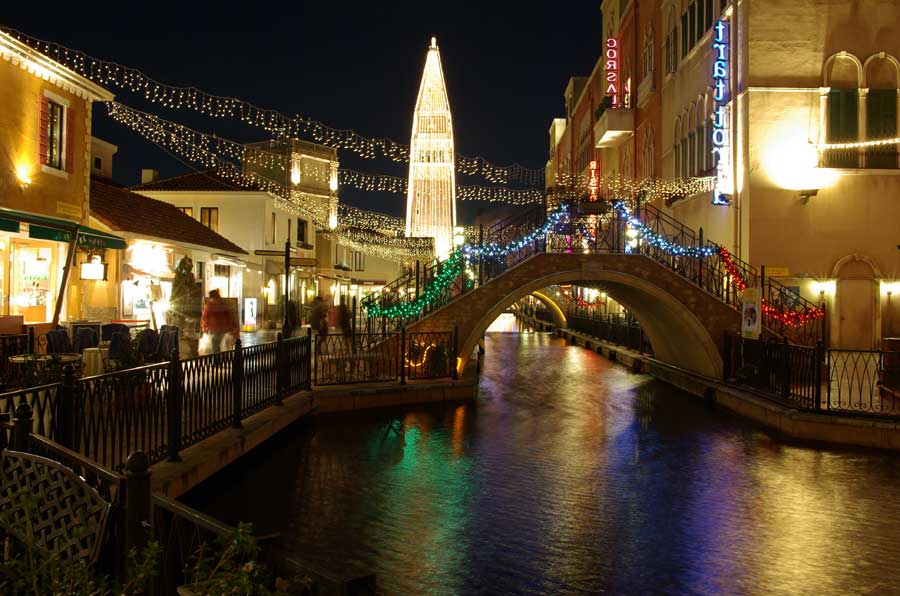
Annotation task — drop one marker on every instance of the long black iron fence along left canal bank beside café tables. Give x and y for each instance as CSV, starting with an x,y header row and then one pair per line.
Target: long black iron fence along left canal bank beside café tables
x,y
162,408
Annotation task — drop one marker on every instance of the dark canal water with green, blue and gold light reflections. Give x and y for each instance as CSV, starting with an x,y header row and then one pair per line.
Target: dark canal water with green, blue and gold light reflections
x,y
571,475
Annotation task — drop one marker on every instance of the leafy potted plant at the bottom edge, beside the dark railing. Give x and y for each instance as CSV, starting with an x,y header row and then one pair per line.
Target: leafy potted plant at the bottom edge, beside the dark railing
x,y
234,568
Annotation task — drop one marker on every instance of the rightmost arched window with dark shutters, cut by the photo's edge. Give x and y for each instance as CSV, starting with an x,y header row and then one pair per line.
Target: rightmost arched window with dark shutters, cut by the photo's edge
x,y
881,74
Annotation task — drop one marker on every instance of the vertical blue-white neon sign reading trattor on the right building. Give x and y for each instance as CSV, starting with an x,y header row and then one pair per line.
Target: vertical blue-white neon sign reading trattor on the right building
x,y
721,120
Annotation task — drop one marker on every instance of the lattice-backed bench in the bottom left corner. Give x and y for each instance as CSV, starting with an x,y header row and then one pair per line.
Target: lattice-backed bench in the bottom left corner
x,y
68,518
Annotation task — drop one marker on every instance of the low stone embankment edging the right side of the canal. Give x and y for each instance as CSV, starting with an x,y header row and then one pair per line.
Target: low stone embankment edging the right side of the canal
x,y
856,430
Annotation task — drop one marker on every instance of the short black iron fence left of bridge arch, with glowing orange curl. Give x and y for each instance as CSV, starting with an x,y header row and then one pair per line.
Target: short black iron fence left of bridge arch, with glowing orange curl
x,y
383,357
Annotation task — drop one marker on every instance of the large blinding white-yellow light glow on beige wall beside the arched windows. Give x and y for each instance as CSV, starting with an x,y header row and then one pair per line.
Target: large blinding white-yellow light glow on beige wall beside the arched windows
x,y
791,162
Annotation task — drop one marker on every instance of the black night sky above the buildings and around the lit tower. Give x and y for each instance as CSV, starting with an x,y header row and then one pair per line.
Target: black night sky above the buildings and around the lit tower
x,y
349,64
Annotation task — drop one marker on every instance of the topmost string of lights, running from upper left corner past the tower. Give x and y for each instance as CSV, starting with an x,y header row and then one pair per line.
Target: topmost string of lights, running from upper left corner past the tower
x,y
107,73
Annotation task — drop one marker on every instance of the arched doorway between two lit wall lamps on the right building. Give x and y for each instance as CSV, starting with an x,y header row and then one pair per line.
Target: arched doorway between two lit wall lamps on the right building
x,y
856,300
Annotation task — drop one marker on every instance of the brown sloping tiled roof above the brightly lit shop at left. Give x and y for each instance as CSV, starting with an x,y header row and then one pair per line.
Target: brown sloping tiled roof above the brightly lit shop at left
x,y
126,211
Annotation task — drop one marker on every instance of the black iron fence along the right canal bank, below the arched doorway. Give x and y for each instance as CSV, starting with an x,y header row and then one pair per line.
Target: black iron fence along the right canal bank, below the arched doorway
x,y
835,380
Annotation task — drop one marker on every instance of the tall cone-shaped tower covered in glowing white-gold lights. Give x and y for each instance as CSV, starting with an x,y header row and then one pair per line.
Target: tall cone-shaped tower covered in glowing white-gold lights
x,y
431,196
